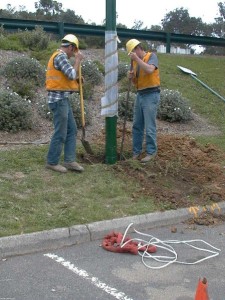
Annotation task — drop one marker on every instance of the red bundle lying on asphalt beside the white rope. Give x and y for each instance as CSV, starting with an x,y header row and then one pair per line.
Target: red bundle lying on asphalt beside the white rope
x,y
112,242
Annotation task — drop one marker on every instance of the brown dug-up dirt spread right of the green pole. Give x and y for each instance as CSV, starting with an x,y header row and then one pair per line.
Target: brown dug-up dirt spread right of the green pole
x,y
183,173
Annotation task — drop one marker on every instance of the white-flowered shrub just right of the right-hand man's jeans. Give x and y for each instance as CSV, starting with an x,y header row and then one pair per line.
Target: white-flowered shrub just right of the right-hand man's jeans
x,y
173,107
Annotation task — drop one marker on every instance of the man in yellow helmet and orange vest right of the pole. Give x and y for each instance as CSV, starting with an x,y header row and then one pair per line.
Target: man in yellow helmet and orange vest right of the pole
x,y
146,79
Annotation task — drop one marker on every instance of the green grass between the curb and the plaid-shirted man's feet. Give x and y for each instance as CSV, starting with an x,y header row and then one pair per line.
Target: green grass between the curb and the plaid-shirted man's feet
x,y
33,198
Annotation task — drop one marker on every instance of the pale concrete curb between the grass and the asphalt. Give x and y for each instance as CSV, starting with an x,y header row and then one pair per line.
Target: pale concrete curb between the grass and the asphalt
x,y
61,237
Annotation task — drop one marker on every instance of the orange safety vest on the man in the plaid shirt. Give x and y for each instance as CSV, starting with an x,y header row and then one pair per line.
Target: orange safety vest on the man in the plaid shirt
x,y
56,80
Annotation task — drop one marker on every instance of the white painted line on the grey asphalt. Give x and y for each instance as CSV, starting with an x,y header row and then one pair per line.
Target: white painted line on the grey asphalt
x,y
94,280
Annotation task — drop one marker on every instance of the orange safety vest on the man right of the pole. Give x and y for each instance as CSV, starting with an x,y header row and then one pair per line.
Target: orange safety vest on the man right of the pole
x,y
143,80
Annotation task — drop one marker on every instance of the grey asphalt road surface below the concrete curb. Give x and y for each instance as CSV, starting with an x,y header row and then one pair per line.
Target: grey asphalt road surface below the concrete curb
x,y
89,272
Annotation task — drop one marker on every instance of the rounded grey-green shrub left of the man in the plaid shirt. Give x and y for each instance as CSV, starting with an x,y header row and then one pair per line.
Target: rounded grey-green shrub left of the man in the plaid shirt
x,y
23,75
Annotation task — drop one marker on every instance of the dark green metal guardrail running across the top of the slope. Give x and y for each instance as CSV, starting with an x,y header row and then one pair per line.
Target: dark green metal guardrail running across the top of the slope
x,y
61,28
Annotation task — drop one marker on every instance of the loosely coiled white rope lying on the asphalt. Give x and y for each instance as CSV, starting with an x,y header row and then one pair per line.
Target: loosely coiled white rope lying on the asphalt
x,y
172,256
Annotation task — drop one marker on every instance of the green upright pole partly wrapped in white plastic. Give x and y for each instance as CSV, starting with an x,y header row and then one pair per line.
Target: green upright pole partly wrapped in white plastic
x,y
109,103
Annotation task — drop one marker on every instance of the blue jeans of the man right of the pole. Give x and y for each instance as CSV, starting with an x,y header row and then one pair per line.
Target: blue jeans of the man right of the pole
x,y
145,111
